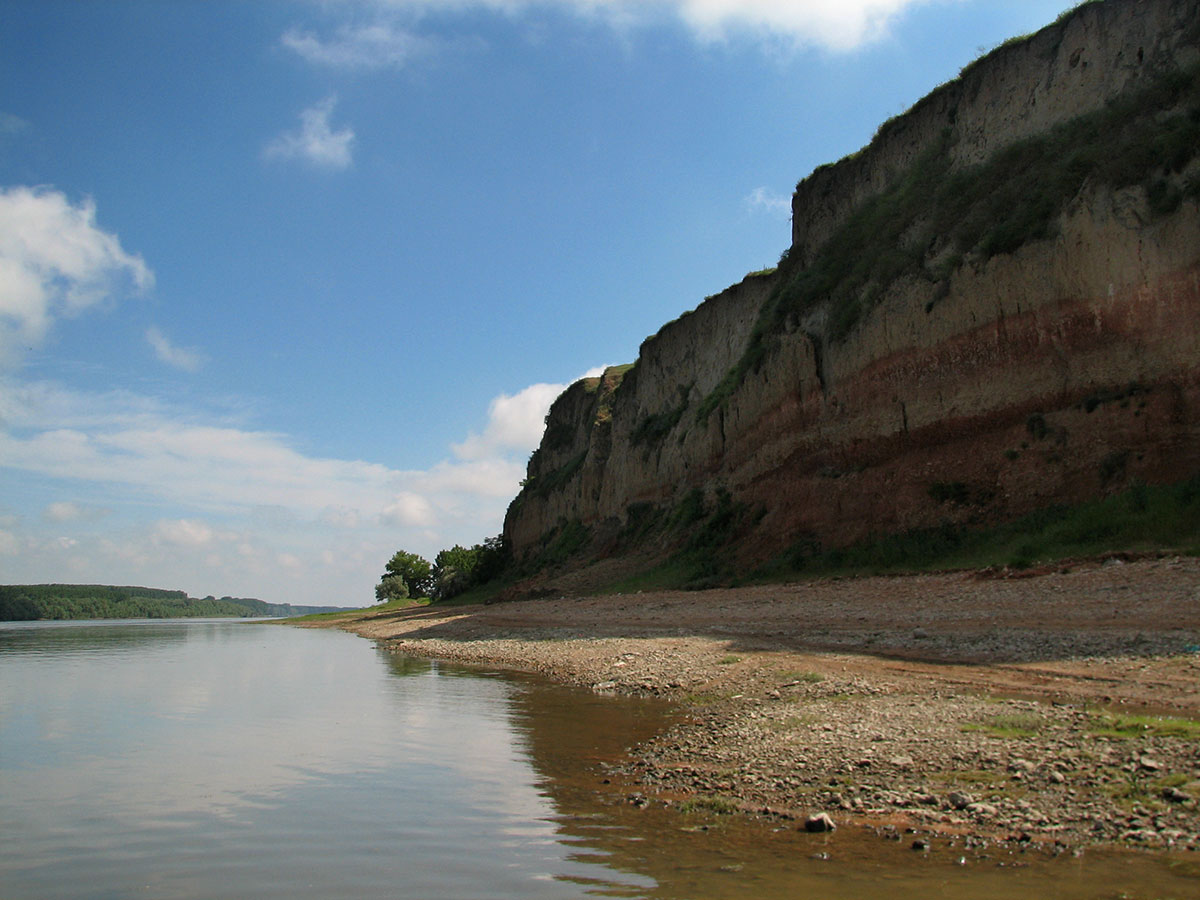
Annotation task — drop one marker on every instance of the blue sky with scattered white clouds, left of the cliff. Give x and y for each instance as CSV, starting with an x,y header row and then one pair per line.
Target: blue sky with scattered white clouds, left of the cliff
x,y
287,286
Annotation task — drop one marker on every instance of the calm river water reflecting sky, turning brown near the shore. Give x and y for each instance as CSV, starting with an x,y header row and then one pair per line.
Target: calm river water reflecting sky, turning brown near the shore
x,y
207,760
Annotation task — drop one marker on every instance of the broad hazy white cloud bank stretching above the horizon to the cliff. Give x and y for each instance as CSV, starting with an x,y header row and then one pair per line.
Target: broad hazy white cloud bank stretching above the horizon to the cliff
x,y
214,508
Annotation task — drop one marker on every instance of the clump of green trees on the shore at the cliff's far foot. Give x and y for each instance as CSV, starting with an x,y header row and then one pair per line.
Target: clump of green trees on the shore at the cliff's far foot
x,y
453,572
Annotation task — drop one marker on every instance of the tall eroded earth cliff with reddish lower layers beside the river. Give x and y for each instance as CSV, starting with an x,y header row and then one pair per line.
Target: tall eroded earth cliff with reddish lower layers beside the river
x,y
992,309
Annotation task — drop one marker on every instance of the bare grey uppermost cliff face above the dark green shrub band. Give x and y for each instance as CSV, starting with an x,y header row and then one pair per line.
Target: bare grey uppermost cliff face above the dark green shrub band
x,y
1024,88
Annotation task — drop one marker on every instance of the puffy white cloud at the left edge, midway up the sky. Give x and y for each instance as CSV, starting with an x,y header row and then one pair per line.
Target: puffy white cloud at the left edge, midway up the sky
x,y
55,263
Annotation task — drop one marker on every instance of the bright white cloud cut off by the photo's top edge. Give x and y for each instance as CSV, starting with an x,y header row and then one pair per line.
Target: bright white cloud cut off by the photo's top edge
x,y
833,25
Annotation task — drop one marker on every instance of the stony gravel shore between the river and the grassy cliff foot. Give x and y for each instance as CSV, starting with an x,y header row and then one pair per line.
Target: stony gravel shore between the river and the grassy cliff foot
x,y
1058,709
